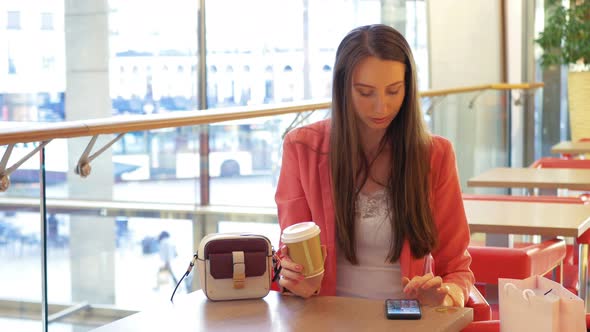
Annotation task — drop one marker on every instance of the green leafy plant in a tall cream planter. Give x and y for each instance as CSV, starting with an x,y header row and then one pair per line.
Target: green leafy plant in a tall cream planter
x,y
565,40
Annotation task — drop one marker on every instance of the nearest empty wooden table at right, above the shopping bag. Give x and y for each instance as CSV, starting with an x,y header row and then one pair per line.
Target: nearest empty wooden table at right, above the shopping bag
x,y
531,218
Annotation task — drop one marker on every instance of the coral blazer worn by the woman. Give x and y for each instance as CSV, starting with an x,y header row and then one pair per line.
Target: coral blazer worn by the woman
x,y
304,193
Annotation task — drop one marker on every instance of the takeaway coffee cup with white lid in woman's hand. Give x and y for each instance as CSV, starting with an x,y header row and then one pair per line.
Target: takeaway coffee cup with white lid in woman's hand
x,y
303,241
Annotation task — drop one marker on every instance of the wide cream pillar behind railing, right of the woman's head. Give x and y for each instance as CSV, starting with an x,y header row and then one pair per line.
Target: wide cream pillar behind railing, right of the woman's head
x,y
464,50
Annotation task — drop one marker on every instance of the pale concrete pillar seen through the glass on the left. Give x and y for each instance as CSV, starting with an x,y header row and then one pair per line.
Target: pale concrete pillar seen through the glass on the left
x,y
92,239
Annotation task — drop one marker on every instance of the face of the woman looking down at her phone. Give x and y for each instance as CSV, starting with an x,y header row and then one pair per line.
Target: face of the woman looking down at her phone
x,y
378,91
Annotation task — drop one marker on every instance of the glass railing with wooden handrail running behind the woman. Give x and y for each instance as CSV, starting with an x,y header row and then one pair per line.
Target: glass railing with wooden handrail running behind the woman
x,y
78,252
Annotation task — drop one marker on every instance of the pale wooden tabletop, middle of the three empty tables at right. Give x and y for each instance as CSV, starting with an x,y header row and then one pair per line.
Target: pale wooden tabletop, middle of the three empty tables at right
x,y
542,178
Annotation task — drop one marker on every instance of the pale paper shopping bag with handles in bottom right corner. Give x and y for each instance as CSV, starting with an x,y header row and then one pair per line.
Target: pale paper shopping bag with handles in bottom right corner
x,y
539,304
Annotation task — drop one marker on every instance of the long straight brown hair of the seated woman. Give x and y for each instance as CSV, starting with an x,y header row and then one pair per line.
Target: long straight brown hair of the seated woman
x,y
408,185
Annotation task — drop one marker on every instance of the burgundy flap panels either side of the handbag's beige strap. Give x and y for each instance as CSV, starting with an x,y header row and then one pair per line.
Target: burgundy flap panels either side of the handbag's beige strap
x,y
222,267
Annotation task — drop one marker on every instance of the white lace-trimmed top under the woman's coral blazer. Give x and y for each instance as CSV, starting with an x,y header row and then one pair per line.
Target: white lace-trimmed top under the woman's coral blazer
x,y
374,277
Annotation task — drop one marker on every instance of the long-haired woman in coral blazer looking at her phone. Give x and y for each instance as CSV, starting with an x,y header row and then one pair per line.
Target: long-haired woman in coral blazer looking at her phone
x,y
384,192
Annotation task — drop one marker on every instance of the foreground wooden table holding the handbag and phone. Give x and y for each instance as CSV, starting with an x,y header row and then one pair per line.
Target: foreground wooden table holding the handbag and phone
x,y
276,312
